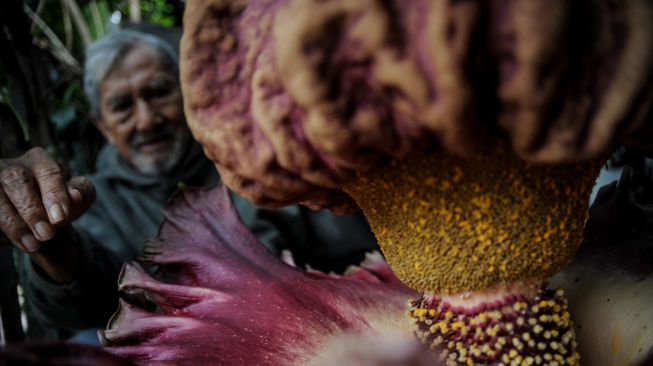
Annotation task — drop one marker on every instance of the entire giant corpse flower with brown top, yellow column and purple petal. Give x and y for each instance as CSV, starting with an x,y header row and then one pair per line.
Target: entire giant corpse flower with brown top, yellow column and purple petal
x,y
433,117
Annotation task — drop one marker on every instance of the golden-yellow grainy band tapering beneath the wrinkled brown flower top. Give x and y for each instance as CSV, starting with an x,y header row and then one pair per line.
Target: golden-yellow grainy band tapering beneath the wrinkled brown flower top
x,y
447,224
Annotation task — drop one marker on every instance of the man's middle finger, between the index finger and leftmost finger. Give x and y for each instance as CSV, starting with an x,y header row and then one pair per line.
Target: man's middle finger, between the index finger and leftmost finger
x,y
21,190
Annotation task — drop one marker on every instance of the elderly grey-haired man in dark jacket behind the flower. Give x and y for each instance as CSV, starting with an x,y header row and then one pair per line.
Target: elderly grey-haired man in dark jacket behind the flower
x,y
76,232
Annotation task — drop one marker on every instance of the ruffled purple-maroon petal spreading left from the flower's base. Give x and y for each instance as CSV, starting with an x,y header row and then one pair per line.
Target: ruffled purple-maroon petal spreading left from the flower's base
x,y
219,298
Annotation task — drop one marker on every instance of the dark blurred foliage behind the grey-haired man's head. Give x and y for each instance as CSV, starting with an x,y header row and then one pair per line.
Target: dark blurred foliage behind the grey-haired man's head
x,y
42,42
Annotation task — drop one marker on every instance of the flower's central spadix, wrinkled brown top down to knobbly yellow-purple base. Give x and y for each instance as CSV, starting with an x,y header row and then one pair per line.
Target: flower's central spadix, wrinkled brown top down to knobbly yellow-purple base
x,y
339,103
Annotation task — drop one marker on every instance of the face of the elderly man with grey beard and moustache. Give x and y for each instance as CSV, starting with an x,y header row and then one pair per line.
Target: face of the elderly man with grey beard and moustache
x,y
142,112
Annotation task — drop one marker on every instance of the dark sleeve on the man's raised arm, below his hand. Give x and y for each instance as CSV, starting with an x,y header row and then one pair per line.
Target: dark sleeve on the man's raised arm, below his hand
x,y
89,299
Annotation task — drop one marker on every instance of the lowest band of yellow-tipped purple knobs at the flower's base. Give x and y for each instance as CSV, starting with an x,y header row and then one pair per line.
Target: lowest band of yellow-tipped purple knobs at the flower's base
x,y
514,331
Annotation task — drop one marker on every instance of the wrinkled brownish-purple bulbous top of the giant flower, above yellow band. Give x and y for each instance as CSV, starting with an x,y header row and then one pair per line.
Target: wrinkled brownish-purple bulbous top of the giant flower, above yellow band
x,y
293,98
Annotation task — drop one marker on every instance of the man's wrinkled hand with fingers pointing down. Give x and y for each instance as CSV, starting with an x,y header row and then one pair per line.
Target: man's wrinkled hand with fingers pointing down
x,y
38,197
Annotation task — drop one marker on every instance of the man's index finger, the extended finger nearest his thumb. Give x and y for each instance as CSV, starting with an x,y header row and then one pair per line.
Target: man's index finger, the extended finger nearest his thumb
x,y
51,181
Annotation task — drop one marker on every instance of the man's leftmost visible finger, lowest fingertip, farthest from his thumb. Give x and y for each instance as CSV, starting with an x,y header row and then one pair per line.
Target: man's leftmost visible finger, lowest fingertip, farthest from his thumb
x,y
15,229
